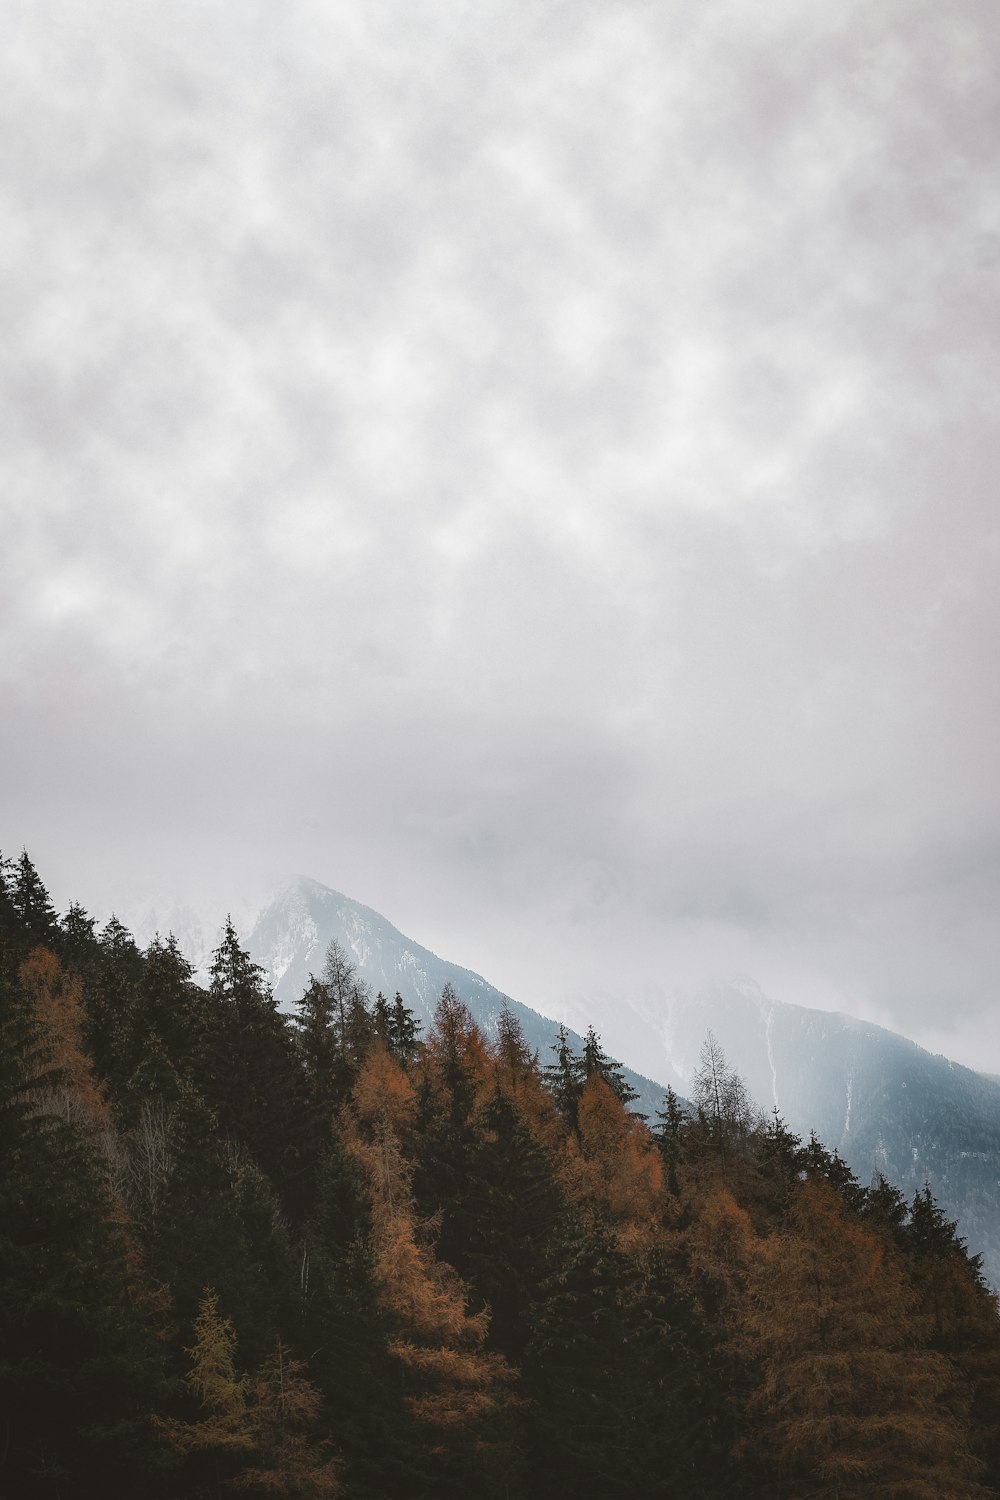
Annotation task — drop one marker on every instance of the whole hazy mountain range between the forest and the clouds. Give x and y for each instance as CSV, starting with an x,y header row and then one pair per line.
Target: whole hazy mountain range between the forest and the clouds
x,y
882,1102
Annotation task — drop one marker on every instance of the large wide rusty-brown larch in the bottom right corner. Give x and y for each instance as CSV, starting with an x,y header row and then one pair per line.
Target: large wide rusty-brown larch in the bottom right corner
x,y
845,1400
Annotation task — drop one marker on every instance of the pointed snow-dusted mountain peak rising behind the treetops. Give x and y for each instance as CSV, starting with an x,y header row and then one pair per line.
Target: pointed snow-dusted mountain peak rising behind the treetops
x,y
292,938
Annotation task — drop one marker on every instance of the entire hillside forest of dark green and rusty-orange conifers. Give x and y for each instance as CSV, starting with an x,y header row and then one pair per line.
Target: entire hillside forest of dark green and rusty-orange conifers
x,y
245,1253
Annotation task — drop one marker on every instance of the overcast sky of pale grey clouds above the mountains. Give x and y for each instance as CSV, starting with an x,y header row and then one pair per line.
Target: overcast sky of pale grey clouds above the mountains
x,y
531,467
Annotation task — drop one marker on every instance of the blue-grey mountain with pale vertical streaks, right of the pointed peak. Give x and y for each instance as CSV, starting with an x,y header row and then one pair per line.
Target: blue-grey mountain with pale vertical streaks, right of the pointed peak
x,y
882,1102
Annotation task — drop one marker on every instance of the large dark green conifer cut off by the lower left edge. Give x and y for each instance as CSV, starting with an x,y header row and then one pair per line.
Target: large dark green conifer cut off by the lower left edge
x,y
79,1370
